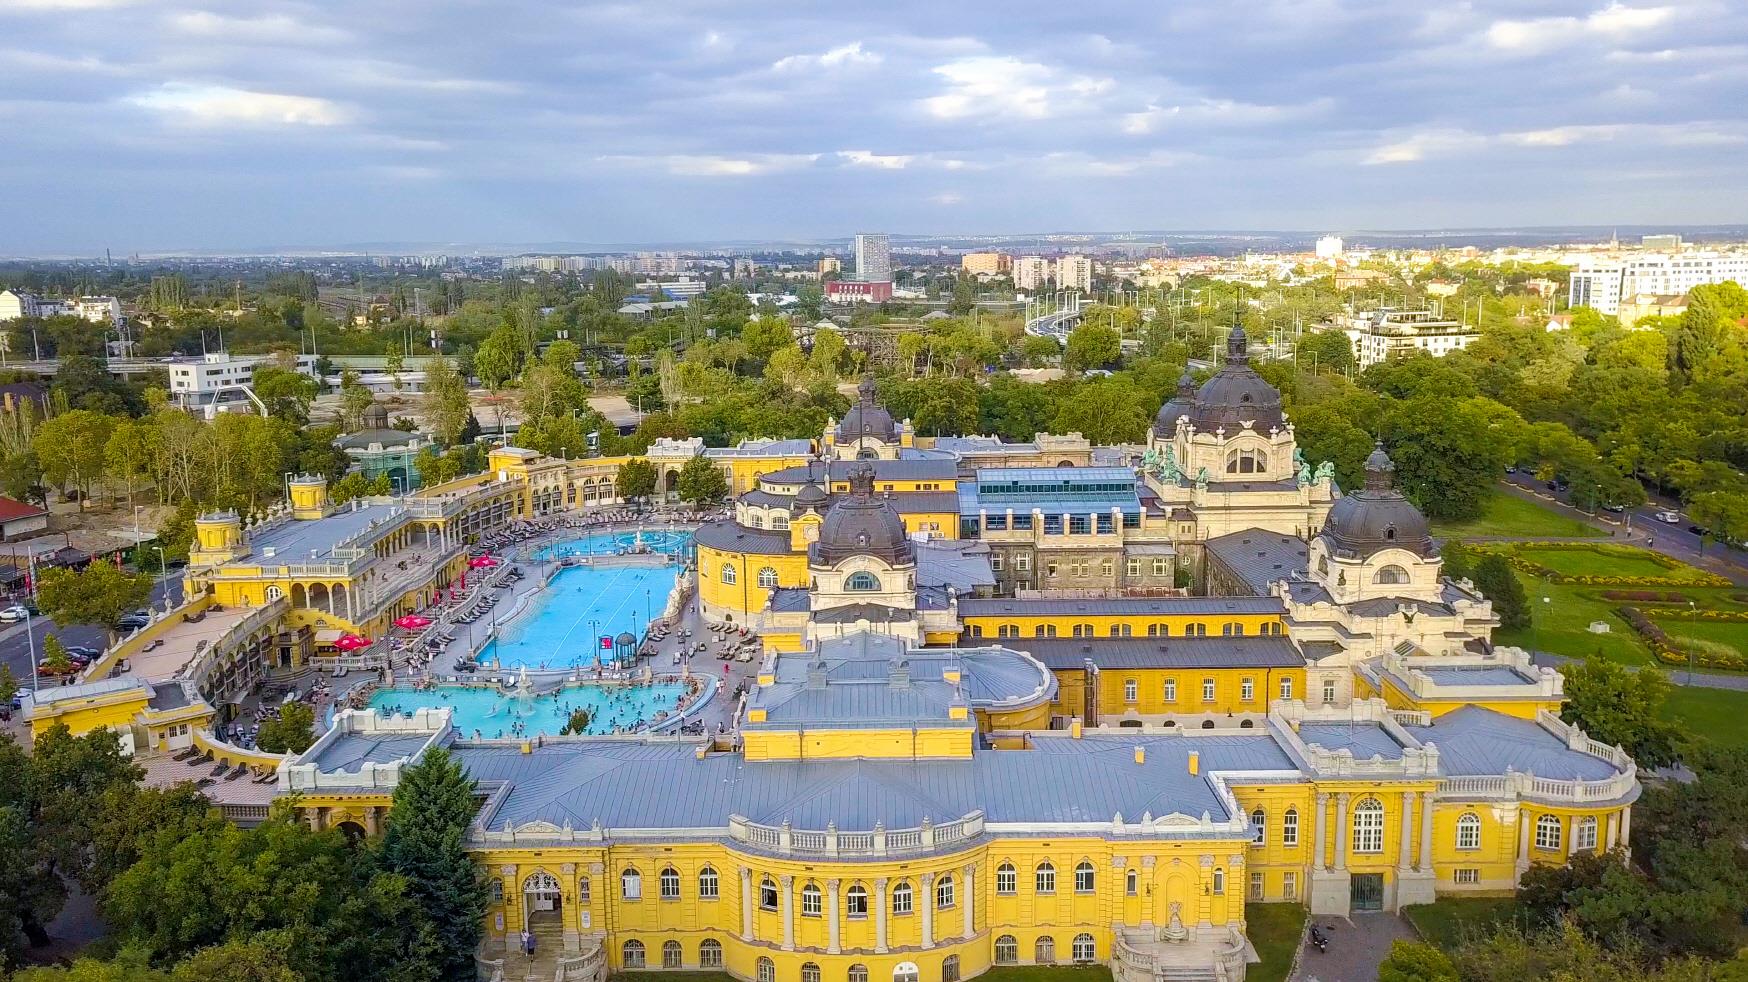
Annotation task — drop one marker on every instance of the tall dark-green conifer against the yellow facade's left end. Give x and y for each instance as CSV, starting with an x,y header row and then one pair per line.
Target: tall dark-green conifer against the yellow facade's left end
x,y
426,843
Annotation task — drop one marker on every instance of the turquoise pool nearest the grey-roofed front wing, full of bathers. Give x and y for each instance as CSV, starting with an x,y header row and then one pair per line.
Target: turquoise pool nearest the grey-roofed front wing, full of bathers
x,y
489,714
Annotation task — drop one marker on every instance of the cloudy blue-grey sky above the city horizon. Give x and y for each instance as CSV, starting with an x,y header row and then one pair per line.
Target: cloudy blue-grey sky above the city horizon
x,y
158,125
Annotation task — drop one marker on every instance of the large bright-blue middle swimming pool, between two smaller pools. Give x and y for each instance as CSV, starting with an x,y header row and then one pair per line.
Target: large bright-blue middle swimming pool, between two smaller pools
x,y
564,623
